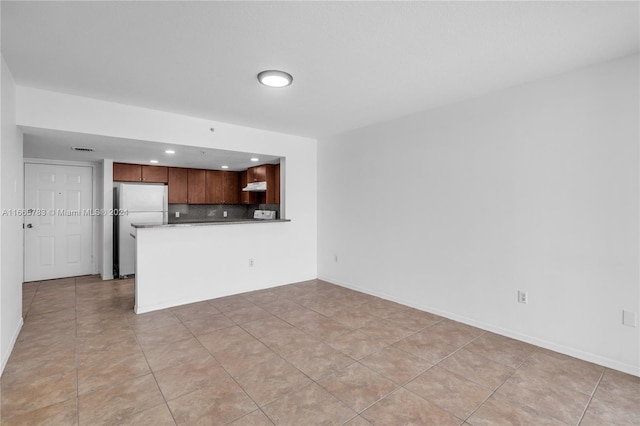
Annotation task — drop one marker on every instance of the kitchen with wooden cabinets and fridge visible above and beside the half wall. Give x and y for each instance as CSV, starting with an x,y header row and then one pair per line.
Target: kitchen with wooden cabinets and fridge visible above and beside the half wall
x,y
151,196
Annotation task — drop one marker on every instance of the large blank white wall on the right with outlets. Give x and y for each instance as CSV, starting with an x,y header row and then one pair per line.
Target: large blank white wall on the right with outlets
x,y
535,188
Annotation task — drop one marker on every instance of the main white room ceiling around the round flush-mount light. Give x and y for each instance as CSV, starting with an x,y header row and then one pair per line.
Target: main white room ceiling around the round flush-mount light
x,y
354,63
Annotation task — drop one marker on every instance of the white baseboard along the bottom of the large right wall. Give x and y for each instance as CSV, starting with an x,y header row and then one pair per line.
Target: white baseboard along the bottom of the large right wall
x,y
576,353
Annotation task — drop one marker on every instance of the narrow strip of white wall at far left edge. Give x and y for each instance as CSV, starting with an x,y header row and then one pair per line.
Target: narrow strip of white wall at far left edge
x,y
11,197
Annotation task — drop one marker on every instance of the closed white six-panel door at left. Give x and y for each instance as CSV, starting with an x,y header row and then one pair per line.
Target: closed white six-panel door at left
x,y
58,224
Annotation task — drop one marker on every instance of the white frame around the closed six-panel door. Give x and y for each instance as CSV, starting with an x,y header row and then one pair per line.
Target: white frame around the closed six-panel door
x,y
94,198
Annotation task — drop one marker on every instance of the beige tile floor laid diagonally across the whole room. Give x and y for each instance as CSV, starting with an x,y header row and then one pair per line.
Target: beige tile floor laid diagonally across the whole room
x,y
302,354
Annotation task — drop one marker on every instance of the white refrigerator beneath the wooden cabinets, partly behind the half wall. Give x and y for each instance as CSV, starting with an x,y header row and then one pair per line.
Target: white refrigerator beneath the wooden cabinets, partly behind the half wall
x,y
144,203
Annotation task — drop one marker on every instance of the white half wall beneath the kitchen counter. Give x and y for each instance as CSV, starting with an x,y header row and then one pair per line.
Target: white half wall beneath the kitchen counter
x,y
177,264
